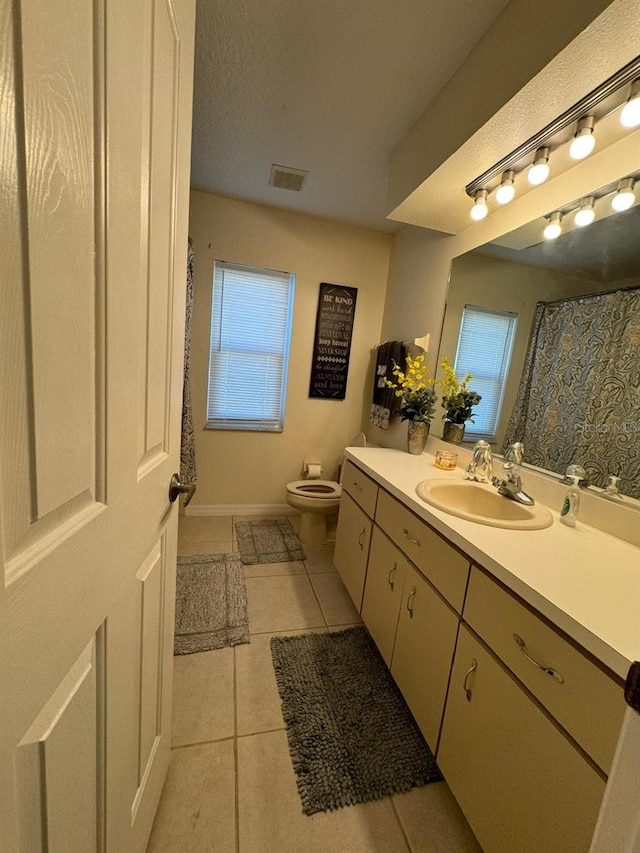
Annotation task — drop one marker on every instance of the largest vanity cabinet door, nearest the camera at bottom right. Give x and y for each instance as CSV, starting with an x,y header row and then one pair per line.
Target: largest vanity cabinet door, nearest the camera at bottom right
x,y
520,783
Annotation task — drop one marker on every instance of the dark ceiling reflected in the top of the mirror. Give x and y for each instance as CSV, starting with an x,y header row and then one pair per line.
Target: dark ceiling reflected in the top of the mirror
x,y
607,250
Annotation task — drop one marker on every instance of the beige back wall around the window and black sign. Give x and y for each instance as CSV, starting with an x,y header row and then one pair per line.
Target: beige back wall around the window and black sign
x,y
252,468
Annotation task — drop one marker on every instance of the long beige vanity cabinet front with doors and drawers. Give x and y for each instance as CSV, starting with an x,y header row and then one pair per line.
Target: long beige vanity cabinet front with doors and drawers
x,y
523,722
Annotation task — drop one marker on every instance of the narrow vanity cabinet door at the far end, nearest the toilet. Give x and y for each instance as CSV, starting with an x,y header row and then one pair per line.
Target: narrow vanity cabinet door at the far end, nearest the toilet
x,y
353,537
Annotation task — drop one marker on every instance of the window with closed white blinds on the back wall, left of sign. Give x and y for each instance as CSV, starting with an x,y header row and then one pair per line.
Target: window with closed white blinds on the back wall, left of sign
x,y
250,331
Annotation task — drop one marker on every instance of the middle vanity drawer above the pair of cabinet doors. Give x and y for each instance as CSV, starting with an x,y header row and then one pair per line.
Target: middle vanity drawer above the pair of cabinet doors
x,y
447,569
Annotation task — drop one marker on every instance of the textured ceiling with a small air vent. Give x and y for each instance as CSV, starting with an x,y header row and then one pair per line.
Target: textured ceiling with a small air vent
x,y
328,86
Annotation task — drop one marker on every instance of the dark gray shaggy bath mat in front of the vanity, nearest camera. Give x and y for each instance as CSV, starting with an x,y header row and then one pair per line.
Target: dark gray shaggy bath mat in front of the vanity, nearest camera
x,y
351,736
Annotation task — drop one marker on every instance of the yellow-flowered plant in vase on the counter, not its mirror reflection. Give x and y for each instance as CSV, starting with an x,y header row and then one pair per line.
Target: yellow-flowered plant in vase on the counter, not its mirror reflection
x,y
418,400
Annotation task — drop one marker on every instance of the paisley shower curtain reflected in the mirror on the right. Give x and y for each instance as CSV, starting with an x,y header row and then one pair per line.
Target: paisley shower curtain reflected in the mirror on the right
x,y
579,397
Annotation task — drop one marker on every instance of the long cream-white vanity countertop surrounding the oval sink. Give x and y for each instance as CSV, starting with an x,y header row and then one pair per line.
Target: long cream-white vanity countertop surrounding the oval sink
x,y
585,581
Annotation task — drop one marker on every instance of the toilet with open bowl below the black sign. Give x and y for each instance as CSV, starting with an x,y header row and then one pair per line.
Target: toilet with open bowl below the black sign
x,y
315,499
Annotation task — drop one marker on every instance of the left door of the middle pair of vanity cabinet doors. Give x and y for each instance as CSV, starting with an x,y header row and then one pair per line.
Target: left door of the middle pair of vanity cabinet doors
x,y
383,592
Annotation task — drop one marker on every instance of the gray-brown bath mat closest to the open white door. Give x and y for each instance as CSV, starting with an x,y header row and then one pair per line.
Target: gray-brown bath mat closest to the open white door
x,y
211,603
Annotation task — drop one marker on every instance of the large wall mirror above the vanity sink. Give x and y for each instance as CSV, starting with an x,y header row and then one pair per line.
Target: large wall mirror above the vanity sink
x,y
569,311
